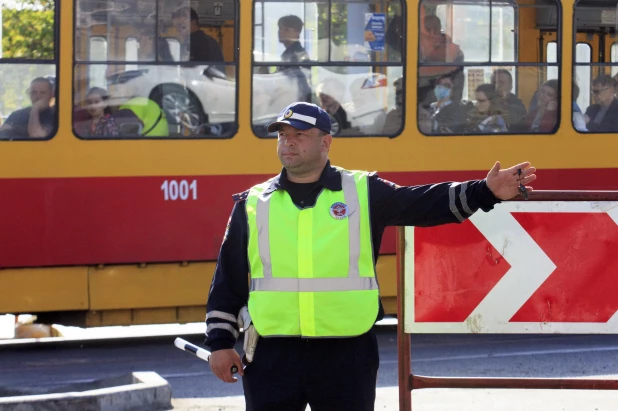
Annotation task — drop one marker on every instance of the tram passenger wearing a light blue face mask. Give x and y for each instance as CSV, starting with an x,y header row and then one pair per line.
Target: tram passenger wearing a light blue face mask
x,y
447,116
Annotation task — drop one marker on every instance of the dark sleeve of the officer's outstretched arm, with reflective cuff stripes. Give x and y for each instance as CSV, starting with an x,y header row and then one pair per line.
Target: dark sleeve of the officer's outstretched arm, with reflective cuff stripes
x,y
427,205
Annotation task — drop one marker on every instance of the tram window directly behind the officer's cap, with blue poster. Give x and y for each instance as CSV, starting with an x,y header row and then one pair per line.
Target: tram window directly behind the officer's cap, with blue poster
x,y
344,56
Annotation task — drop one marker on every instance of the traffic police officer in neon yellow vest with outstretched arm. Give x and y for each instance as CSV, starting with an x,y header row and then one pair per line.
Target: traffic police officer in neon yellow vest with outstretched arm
x,y
300,249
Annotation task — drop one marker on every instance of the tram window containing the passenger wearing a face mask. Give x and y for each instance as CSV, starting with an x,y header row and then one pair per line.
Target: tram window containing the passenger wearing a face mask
x,y
471,80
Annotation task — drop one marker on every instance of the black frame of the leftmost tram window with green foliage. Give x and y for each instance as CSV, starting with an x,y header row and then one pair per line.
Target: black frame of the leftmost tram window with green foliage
x,y
56,62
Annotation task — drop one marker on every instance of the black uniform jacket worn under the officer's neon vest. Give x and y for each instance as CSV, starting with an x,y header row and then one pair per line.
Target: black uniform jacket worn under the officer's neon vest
x,y
390,205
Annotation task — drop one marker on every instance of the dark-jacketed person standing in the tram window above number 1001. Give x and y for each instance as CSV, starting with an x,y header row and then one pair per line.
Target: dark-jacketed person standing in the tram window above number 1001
x,y
195,45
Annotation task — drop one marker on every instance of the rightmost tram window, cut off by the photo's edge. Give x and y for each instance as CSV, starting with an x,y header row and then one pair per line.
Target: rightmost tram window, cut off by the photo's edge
x,y
600,113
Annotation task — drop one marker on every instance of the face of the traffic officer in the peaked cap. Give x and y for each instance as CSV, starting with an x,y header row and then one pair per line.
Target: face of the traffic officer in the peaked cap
x,y
301,150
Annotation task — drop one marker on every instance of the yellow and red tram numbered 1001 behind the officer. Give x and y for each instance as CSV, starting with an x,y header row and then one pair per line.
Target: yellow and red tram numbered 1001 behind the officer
x,y
113,224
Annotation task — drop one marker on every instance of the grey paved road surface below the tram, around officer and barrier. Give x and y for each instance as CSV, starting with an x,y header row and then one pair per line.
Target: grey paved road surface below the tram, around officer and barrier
x,y
195,388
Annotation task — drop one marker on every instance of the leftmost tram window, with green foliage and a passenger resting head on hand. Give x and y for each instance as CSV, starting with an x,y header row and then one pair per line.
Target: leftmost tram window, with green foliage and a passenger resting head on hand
x,y
28,67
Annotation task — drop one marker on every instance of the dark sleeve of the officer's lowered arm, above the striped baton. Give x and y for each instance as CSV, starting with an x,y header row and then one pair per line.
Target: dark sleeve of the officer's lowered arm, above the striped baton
x,y
229,290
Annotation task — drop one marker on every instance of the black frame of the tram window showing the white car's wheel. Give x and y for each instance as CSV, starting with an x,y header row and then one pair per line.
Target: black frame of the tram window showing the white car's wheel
x,y
155,63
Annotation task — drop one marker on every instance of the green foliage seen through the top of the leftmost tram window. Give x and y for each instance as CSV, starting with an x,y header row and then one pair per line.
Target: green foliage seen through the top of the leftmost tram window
x,y
28,29
